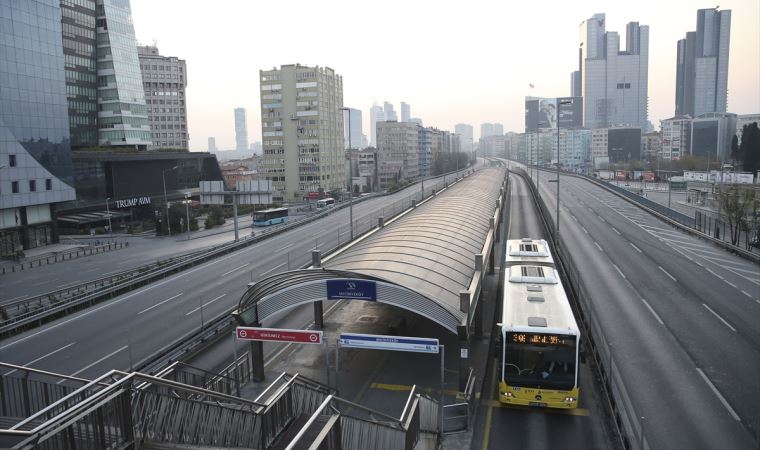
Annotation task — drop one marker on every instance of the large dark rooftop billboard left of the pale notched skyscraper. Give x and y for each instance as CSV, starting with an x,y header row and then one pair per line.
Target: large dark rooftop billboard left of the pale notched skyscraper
x,y
543,113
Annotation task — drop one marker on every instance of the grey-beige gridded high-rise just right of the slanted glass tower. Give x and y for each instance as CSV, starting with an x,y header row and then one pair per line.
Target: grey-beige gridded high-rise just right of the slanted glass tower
x,y
164,81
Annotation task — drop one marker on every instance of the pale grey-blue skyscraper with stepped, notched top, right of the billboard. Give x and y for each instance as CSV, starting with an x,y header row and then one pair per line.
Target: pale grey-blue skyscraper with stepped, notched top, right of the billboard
x,y
614,83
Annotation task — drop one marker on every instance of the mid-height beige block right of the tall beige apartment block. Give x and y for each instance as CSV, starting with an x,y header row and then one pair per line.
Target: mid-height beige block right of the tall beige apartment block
x,y
397,152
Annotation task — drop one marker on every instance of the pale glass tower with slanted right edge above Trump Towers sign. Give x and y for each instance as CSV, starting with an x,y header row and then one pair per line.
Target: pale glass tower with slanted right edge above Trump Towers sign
x,y
122,115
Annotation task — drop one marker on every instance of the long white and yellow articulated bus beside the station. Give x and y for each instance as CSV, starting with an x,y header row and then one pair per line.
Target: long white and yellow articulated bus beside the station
x,y
540,339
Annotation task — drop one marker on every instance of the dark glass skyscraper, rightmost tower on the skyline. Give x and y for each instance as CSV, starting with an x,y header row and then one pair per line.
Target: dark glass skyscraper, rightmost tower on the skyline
x,y
702,65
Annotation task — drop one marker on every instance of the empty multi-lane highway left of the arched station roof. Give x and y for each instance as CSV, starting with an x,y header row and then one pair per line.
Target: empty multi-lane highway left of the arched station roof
x,y
133,326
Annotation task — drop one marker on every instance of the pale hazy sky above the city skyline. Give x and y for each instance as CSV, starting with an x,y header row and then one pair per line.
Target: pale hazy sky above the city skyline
x,y
467,61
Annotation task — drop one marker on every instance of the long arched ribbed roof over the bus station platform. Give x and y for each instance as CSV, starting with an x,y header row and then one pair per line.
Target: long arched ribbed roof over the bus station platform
x,y
432,249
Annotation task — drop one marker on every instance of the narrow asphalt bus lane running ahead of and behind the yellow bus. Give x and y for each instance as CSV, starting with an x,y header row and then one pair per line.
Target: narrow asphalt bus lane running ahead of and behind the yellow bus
x,y
503,427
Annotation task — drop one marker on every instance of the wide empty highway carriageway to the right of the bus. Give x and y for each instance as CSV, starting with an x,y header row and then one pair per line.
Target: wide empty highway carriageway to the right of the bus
x,y
680,316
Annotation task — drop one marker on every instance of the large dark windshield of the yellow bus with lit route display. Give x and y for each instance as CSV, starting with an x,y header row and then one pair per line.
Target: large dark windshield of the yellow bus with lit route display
x,y
540,360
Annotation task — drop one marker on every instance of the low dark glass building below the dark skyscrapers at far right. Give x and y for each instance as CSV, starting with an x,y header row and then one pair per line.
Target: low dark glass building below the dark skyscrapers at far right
x,y
711,135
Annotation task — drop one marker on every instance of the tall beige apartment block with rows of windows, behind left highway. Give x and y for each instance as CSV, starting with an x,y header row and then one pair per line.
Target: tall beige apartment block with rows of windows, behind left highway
x,y
302,127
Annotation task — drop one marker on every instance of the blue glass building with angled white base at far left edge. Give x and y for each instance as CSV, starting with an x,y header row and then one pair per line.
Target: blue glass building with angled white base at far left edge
x,y
35,155
